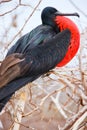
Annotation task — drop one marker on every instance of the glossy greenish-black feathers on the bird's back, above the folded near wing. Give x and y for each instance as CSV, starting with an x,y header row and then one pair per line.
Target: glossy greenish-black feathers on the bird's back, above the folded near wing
x,y
32,39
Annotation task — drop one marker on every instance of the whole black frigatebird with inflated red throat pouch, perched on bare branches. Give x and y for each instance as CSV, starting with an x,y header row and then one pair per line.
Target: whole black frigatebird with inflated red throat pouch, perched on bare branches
x,y
53,43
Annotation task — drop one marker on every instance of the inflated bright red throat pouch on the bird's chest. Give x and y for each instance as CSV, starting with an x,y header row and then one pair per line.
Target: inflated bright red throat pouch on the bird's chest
x,y
65,23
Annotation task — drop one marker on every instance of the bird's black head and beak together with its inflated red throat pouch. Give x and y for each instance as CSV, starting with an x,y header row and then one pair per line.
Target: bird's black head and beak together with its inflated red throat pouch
x,y
52,17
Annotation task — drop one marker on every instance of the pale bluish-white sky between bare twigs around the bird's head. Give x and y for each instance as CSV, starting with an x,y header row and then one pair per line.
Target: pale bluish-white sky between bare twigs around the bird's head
x,y
62,5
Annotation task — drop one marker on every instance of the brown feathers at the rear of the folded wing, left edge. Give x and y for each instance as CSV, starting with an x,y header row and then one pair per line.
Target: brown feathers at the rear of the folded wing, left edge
x,y
12,67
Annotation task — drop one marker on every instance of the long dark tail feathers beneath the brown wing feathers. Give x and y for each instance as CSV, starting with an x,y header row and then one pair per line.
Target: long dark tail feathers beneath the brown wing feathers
x,y
7,91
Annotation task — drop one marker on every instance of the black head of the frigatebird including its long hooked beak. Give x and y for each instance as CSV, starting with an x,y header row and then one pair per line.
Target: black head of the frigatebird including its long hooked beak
x,y
49,14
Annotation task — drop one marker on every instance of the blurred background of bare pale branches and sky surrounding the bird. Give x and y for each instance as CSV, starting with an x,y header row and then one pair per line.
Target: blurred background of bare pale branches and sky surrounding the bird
x,y
57,101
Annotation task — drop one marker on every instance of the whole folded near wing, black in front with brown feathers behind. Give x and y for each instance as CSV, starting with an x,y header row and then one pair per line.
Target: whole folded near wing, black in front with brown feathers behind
x,y
36,61
